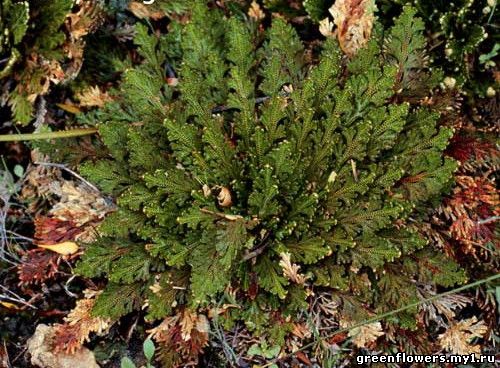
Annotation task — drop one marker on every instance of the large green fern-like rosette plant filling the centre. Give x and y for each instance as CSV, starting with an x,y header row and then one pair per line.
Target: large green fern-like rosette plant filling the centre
x,y
256,154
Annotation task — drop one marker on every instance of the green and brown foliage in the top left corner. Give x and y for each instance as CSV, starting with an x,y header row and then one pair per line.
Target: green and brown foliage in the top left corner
x,y
30,57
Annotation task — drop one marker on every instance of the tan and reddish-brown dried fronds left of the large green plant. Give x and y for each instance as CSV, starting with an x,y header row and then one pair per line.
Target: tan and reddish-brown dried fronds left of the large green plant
x,y
75,210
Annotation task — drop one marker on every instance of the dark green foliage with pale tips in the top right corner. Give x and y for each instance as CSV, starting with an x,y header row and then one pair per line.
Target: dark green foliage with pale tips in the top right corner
x,y
465,36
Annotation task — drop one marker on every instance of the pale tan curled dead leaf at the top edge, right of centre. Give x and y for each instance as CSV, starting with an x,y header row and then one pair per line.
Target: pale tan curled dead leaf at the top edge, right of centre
x,y
354,22
